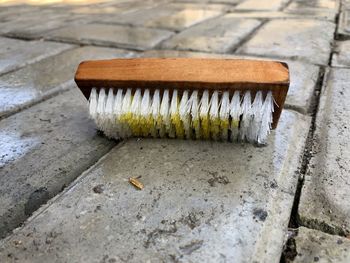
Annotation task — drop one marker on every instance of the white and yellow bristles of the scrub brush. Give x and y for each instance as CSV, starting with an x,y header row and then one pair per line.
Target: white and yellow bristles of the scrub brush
x,y
188,115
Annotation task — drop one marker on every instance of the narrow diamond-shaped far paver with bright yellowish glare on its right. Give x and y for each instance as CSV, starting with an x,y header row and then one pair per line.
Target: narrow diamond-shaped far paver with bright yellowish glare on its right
x,y
166,17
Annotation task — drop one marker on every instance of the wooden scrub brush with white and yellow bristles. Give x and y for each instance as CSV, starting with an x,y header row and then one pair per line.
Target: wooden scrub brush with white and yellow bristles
x,y
186,98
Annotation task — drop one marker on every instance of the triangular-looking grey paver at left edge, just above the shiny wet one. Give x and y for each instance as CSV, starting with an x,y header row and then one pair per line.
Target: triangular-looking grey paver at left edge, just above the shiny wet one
x,y
18,53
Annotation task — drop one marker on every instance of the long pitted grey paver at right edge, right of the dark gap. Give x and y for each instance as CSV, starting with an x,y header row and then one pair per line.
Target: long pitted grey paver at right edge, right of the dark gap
x,y
322,203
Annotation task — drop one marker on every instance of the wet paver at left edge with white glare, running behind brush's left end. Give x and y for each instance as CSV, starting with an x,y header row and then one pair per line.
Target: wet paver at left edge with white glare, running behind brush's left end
x,y
42,79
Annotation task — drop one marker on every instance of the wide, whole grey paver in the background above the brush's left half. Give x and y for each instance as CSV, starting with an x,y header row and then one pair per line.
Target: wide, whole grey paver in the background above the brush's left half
x,y
111,35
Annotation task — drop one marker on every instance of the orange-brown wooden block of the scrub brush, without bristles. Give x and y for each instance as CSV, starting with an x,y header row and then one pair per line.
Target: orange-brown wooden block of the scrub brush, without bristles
x,y
187,73
